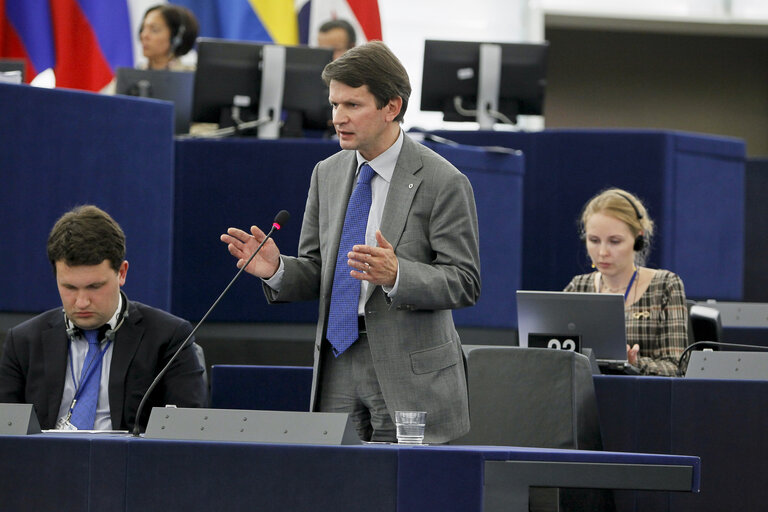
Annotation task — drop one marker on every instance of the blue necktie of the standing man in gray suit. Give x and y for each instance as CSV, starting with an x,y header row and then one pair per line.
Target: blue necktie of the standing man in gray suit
x,y
342,317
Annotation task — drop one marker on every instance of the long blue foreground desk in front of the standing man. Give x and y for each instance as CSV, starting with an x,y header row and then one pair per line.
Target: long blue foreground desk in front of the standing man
x,y
84,472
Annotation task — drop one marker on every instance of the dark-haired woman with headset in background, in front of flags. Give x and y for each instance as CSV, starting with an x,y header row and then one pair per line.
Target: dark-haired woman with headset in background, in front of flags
x,y
167,32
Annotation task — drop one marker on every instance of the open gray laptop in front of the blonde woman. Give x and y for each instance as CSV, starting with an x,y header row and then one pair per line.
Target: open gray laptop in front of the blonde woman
x,y
576,321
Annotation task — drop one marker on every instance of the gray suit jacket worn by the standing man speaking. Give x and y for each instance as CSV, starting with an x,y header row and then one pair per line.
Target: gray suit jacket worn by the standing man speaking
x,y
431,221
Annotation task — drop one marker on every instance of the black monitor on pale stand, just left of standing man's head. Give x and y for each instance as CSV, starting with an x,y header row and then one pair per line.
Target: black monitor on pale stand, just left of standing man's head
x,y
277,89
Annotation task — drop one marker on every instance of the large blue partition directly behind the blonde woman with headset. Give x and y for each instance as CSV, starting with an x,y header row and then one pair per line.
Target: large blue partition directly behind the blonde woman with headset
x,y
692,184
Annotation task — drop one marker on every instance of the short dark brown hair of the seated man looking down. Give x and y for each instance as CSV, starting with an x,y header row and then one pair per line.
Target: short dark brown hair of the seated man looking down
x,y
86,235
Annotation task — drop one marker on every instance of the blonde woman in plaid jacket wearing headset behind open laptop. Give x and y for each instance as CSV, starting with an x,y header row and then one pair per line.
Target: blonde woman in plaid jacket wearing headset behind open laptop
x,y
617,231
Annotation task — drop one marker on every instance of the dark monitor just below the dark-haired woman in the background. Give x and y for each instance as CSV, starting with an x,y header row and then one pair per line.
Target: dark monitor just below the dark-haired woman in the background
x,y
174,86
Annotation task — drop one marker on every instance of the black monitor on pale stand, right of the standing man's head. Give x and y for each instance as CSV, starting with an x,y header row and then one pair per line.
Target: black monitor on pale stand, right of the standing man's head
x,y
484,82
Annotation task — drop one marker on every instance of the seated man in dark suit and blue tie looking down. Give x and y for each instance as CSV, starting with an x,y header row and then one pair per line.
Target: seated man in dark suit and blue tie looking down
x,y
87,365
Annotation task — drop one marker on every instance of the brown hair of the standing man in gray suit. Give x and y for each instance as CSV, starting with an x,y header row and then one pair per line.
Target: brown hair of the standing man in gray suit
x,y
372,64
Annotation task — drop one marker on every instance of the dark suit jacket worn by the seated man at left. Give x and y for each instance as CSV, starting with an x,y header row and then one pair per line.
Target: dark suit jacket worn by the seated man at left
x,y
35,354
